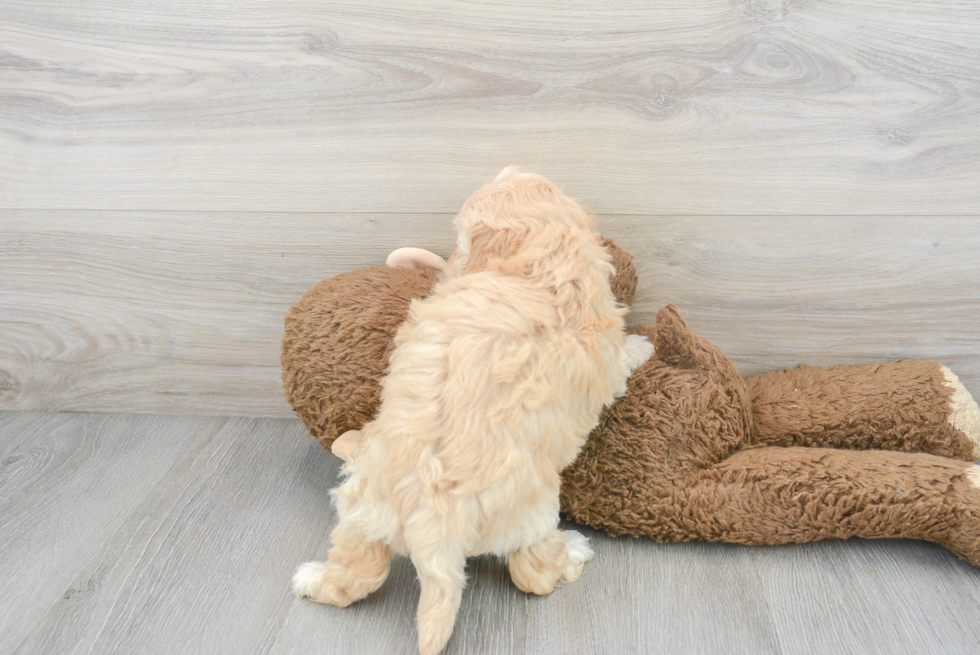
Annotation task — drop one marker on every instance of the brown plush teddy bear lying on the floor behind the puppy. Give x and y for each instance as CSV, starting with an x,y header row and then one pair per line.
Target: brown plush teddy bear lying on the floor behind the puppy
x,y
693,451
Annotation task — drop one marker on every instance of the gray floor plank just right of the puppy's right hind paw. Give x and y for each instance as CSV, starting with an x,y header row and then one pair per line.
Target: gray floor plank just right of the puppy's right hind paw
x,y
658,598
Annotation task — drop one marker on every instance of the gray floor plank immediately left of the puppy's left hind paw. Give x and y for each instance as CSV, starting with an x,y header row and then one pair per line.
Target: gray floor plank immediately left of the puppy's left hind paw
x,y
203,564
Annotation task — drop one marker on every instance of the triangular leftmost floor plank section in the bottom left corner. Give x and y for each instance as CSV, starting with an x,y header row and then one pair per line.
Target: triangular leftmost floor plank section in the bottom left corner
x,y
67,483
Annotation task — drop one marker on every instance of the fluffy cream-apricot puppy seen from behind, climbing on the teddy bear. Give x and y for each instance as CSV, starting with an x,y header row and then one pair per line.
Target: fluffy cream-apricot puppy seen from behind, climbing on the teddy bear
x,y
495,382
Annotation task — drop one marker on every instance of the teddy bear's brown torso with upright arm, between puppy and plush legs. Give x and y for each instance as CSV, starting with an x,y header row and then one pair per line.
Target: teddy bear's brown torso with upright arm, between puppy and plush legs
x,y
686,407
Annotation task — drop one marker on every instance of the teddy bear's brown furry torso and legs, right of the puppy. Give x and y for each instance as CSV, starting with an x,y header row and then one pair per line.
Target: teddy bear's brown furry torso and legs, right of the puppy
x,y
682,456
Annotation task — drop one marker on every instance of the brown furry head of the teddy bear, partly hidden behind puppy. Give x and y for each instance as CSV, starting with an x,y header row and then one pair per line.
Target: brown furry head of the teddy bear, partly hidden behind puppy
x,y
339,336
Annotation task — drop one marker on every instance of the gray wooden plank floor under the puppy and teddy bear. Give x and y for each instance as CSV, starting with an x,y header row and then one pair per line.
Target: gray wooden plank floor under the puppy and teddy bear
x,y
168,534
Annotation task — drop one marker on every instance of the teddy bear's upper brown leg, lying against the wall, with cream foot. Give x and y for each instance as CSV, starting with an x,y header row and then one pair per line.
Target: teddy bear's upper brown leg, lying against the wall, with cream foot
x,y
910,406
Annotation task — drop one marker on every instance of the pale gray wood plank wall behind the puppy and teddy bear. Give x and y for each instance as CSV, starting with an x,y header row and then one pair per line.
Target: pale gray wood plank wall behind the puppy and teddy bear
x,y
802,179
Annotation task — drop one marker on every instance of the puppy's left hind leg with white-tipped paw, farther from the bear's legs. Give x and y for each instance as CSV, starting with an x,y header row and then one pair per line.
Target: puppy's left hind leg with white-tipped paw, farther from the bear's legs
x,y
355,568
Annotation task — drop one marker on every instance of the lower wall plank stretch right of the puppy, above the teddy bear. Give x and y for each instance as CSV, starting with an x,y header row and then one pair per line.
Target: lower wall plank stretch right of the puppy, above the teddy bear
x,y
773,293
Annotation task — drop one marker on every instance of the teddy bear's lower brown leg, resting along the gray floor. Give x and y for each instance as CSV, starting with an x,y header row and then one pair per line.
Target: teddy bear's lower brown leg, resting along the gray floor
x,y
783,495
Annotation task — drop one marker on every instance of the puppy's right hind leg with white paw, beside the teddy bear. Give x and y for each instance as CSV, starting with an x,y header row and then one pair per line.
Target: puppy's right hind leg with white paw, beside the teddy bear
x,y
561,555
